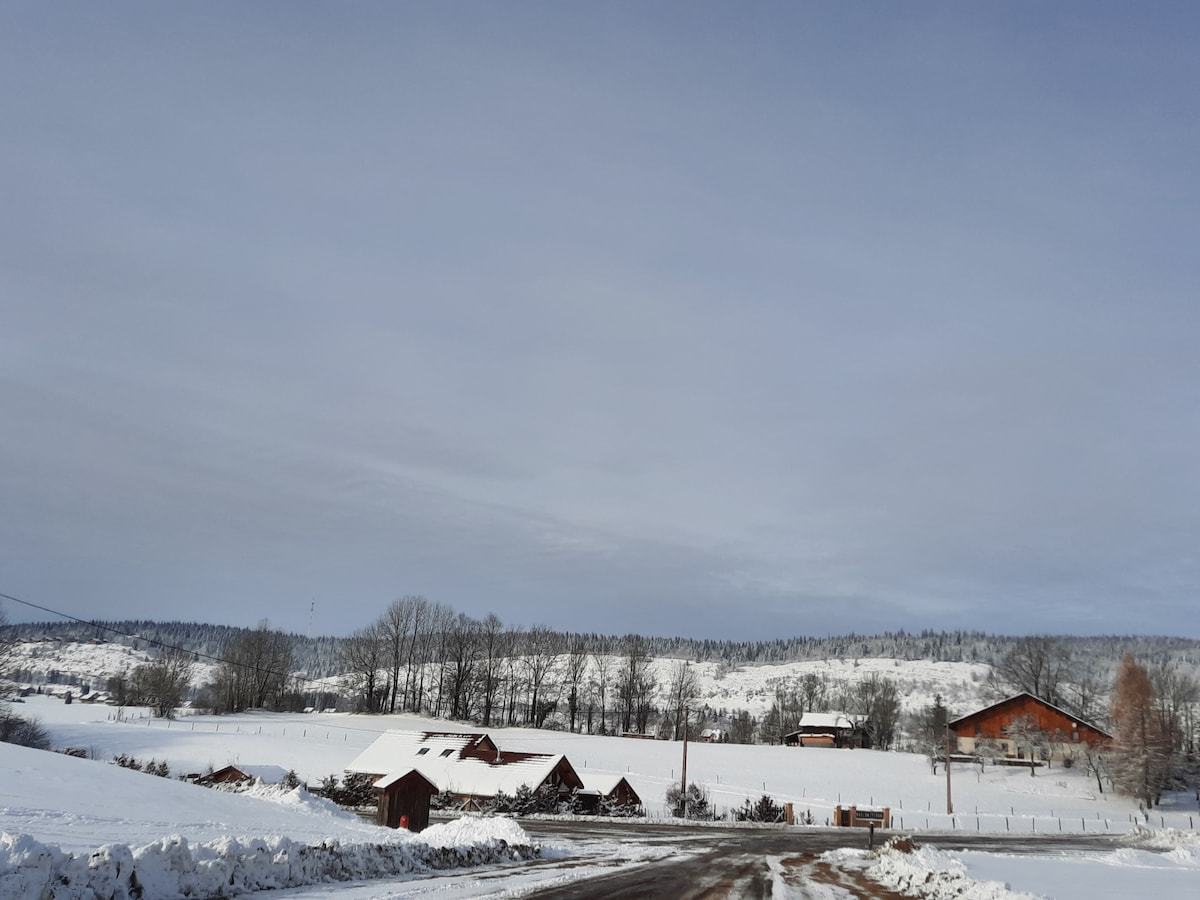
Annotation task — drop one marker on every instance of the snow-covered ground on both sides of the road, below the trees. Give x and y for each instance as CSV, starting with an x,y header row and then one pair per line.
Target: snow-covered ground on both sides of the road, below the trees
x,y
68,817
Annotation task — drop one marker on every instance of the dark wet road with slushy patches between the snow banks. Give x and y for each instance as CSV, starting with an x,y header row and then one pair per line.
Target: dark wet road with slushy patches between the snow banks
x,y
715,863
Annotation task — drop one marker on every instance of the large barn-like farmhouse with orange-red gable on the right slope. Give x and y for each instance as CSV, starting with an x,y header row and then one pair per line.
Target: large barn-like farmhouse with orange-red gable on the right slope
x,y
1015,725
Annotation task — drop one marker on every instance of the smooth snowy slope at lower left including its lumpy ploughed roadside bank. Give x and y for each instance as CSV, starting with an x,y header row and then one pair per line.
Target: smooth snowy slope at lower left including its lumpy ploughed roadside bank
x,y
89,830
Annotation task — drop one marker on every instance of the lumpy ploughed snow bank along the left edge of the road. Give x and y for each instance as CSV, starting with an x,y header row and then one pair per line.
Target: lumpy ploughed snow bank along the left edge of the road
x,y
173,868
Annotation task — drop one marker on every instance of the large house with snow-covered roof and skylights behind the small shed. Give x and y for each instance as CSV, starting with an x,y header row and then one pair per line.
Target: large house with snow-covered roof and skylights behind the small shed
x,y
470,766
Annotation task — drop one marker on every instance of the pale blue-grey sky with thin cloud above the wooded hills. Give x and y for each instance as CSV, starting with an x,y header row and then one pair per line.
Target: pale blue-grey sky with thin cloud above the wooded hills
x,y
731,321
